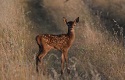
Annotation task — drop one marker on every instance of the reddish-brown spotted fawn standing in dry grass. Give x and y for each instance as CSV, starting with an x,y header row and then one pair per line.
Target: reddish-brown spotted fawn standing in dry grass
x,y
61,42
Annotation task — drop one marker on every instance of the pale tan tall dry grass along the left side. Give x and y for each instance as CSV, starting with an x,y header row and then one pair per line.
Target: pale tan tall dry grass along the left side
x,y
14,33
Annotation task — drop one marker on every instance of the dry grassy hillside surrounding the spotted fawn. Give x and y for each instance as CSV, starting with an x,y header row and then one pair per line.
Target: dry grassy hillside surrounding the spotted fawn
x,y
97,52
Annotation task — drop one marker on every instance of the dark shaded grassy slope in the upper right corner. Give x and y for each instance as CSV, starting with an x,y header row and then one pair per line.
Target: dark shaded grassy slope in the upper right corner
x,y
110,12
